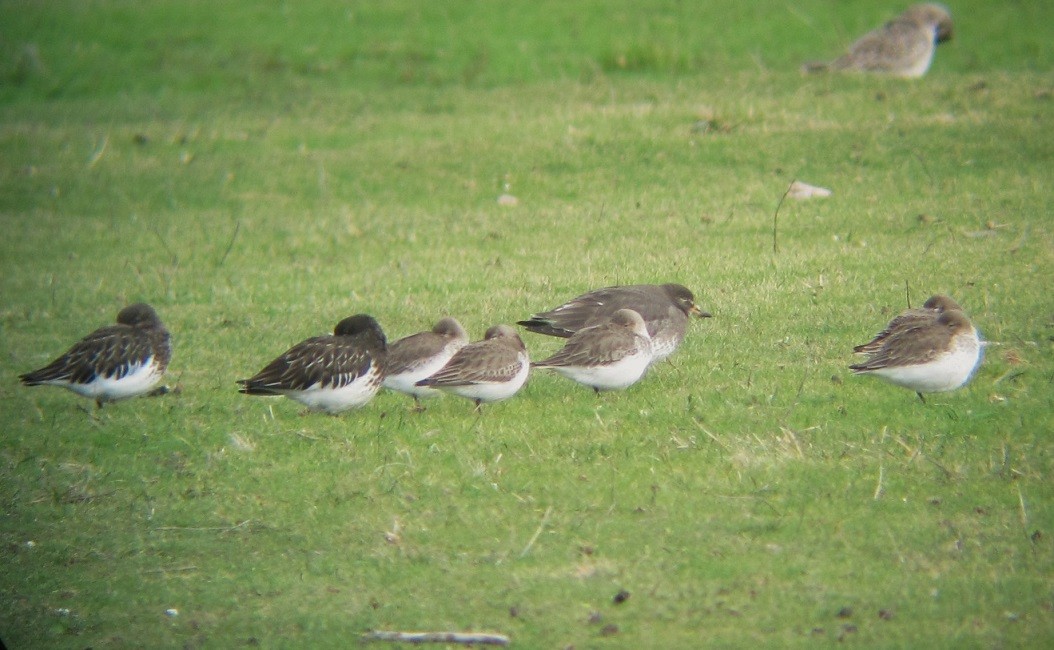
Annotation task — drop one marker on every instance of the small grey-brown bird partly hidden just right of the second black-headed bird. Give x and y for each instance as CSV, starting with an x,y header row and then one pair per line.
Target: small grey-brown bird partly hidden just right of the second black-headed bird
x,y
421,356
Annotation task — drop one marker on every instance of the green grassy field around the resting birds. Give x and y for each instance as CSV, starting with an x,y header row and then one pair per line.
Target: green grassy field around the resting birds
x,y
260,173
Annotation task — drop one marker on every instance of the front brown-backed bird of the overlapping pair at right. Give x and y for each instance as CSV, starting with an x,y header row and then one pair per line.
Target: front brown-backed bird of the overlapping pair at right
x,y
928,358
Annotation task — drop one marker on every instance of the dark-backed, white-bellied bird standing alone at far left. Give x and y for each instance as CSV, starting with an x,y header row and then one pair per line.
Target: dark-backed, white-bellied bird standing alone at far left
x,y
114,363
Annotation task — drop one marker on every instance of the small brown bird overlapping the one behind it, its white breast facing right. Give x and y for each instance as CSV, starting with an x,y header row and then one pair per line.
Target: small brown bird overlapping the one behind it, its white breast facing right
x,y
485,371
